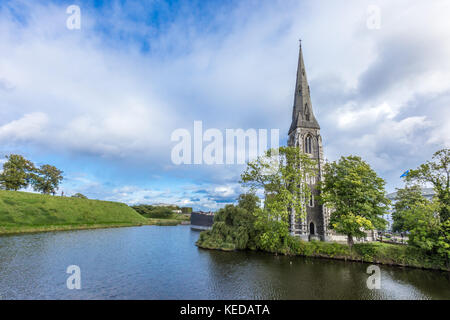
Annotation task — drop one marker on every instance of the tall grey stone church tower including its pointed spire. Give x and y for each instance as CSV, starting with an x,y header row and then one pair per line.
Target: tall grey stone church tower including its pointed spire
x,y
305,133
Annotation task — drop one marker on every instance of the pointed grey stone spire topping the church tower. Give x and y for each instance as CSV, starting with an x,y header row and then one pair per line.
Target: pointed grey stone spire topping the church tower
x,y
302,115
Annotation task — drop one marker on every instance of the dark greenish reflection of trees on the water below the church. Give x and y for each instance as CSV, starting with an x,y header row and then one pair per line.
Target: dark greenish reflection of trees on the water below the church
x,y
254,275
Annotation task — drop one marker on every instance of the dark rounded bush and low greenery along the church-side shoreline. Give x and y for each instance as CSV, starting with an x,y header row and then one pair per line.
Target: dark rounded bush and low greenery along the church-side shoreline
x,y
234,229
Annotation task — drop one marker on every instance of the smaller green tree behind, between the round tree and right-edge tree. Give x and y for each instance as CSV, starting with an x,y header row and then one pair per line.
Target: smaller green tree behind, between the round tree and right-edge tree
x,y
406,198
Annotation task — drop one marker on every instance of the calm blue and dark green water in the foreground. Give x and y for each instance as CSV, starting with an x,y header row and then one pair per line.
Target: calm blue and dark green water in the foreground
x,y
153,262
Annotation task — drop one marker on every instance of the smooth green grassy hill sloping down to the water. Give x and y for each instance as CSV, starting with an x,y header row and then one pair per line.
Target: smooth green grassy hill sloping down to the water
x,y
28,212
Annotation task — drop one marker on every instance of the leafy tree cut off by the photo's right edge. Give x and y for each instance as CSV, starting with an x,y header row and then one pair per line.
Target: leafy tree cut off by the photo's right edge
x,y
436,172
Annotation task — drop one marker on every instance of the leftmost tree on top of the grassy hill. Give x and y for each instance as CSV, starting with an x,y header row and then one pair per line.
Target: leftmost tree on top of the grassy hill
x,y
17,172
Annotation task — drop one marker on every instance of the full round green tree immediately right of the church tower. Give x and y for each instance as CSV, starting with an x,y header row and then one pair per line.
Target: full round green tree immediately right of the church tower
x,y
356,194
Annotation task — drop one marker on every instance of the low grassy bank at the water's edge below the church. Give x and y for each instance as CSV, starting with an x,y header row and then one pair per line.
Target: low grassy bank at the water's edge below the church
x,y
373,252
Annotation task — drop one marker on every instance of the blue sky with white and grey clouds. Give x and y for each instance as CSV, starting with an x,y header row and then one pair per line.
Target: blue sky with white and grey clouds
x,y
101,102
